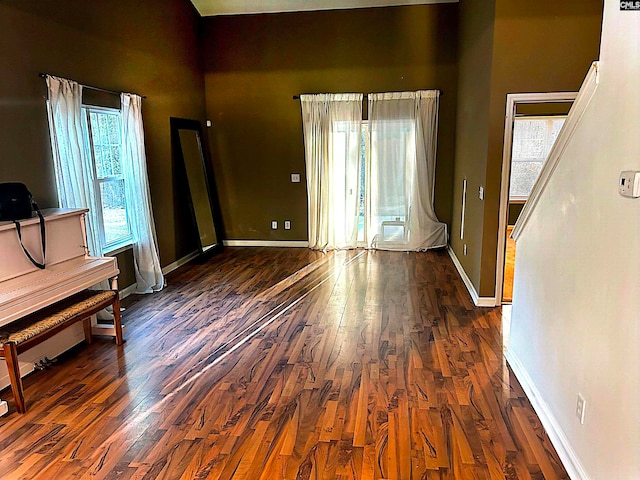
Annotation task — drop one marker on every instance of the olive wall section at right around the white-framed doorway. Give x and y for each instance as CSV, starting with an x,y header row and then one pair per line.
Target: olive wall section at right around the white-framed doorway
x,y
541,46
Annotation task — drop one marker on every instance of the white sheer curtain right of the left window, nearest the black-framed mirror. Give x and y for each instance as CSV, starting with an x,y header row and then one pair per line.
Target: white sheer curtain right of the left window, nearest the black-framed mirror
x,y
147,267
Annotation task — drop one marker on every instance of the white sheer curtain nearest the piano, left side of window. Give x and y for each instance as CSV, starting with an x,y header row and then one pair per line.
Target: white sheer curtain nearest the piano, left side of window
x,y
74,175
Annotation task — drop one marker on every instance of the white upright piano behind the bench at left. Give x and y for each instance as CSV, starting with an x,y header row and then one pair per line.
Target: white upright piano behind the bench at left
x,y
70,269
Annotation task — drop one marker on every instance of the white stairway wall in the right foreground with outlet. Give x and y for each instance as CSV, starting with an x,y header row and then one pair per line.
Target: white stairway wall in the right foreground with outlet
x,y
575,324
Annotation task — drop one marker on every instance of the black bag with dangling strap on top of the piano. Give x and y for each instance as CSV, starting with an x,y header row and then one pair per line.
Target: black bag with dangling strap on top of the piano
x,y
16,203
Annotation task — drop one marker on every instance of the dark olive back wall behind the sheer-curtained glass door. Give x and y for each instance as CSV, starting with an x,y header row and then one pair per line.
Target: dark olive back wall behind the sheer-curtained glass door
x,y
254,65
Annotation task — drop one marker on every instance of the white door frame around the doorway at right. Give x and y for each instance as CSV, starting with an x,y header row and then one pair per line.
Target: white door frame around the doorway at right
x,y
513,99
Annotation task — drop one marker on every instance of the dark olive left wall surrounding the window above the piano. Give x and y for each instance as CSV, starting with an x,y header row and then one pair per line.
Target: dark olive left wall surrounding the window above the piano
x,y
148,47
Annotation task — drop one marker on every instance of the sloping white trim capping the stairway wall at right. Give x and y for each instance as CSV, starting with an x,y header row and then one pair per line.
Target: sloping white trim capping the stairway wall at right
x,y
588,88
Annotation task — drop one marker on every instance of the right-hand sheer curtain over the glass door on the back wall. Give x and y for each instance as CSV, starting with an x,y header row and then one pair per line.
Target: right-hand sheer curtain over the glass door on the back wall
x,y
401,176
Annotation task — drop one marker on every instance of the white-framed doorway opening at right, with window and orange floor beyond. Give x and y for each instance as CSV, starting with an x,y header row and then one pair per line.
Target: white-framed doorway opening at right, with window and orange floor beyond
x,y
533,122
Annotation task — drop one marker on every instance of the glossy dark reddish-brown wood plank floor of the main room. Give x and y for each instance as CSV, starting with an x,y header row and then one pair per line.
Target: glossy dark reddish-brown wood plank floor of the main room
x,y
288,364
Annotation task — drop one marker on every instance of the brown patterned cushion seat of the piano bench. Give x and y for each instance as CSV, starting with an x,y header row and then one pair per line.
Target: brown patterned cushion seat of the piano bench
x,y
57,314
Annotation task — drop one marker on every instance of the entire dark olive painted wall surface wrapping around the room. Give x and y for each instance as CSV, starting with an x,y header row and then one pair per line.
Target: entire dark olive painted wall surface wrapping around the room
x,y
251,66
